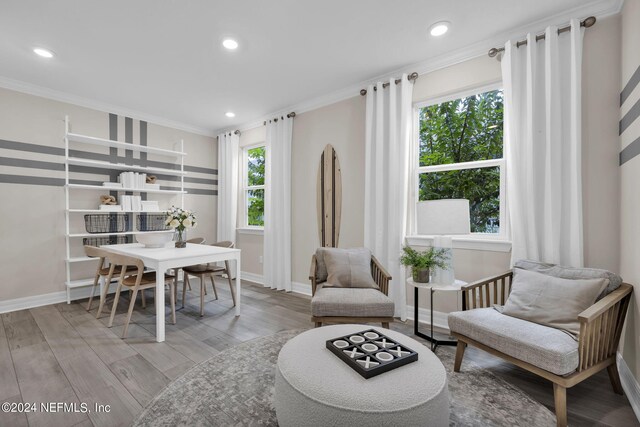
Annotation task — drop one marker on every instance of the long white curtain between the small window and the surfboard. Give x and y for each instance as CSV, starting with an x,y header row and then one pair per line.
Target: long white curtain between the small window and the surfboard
x,y
277,205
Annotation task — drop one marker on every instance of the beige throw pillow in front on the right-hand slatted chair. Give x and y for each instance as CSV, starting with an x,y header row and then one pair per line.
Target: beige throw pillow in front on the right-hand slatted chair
x,y
551,301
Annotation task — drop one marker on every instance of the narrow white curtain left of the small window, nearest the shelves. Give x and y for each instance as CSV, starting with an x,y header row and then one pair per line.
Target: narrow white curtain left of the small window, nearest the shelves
x,y
228,164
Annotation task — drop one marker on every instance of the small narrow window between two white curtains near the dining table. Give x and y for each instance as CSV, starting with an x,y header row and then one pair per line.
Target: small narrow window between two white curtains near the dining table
x,y
253,187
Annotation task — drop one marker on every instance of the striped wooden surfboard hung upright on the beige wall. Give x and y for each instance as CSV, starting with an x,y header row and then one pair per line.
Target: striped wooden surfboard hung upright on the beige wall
x,y
329,198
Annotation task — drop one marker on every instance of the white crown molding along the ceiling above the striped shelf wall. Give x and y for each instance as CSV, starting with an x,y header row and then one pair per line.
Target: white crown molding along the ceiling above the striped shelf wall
x,y
31,89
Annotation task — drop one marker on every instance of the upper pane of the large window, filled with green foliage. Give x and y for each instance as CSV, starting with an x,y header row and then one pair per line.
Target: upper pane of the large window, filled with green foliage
x,y
462,130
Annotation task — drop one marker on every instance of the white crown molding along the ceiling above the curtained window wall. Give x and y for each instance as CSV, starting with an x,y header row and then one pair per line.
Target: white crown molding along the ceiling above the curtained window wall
x,y
597,8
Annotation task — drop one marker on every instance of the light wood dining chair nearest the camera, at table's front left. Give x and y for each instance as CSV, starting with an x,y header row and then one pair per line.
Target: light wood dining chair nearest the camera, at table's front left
x,y
132,276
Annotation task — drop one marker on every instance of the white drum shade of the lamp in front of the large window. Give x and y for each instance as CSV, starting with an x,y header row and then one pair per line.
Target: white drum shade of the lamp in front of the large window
x,y
443,217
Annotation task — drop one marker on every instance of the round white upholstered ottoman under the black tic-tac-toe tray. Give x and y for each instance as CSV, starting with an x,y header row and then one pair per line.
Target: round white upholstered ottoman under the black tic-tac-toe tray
x,y
315,388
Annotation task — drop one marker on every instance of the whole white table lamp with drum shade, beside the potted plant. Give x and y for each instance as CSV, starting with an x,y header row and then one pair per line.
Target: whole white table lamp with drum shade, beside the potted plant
x,y
442,219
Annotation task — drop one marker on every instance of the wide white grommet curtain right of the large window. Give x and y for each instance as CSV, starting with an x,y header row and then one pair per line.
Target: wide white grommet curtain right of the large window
x,y
542,84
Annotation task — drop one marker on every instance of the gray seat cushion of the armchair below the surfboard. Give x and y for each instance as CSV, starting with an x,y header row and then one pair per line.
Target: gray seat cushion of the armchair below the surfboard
x,y
351,302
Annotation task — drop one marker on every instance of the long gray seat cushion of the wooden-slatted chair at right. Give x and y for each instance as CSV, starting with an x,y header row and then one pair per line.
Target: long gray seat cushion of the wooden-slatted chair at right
x,y
547,348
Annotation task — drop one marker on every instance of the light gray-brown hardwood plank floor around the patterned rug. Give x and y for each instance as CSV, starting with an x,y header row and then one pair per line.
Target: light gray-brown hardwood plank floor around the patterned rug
x,y
61,353
